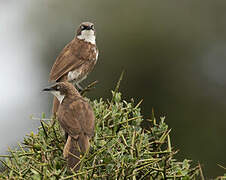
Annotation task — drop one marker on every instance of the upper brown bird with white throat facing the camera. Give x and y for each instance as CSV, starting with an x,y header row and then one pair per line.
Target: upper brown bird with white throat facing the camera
x,y
76,60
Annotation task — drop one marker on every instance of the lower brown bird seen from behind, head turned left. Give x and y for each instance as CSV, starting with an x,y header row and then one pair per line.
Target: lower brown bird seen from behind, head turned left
x,y
77,119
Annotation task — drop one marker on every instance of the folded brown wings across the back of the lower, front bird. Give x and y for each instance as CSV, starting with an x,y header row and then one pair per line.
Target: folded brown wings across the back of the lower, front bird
x,y
78,118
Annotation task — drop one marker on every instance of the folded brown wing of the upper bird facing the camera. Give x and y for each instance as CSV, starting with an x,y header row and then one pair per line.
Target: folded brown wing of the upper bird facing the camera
x,y
67,60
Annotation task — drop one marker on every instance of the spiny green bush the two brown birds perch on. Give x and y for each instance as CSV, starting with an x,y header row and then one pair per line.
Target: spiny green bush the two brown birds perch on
x,y
120,149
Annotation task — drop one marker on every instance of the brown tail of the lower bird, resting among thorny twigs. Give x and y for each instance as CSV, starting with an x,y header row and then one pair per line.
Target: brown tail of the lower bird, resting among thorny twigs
x,y
73,150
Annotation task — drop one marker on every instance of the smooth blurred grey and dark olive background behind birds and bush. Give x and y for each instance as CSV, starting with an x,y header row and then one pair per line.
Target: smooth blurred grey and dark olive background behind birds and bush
x,y
174,54
